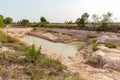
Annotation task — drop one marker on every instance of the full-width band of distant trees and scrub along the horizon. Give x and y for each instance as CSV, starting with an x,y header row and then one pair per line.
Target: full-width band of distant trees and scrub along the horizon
x,y
100,22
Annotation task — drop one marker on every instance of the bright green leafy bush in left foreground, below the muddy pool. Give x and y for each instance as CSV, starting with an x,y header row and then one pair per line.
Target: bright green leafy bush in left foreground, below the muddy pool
x,y
32,53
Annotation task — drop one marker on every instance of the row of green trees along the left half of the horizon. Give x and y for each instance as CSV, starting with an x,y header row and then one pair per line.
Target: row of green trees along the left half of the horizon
x,y
23,22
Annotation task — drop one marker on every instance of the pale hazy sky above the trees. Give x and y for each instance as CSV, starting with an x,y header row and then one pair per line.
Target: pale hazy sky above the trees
x,y
57,10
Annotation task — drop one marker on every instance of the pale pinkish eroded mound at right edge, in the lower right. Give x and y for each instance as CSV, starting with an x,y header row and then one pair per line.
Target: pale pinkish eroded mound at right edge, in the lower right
x,y
106,58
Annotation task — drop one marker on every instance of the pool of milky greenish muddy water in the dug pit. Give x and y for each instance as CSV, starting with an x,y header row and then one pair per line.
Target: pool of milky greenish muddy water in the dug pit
x,y
59,48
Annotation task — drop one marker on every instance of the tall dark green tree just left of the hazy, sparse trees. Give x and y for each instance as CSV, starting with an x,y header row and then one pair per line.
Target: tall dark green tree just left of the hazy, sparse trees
x,y
83,20
